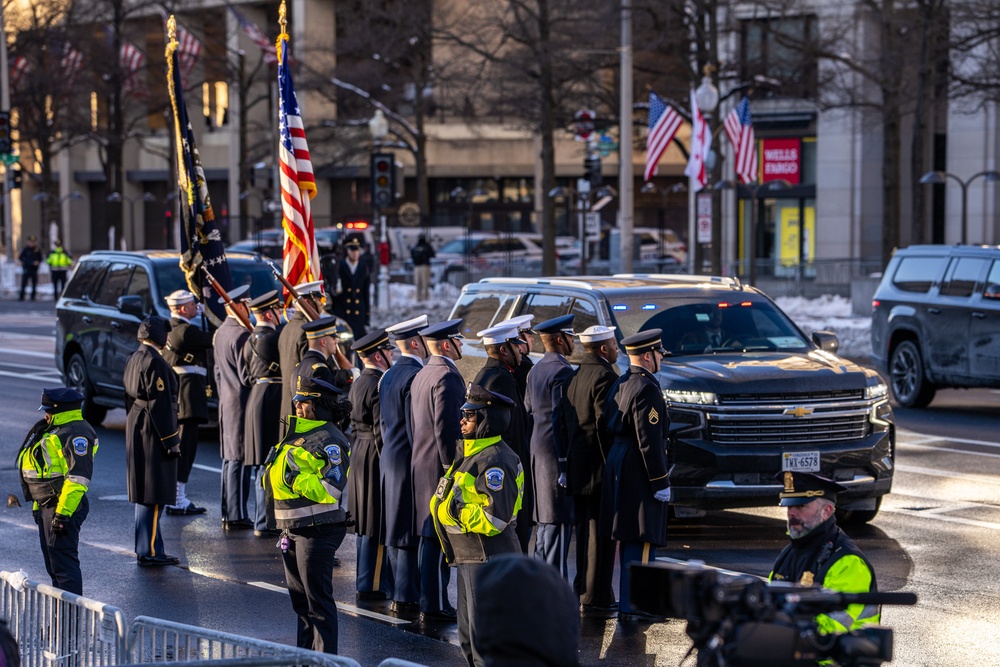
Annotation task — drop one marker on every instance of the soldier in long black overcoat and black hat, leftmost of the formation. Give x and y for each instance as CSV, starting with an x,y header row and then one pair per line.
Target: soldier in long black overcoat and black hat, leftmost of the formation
x,y
152,443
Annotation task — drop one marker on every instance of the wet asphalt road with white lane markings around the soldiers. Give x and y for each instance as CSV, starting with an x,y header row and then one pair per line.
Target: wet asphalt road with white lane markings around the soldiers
x,y
937,535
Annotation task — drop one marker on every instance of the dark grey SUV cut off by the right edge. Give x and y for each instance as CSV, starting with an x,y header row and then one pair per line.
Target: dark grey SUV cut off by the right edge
x,y
936,321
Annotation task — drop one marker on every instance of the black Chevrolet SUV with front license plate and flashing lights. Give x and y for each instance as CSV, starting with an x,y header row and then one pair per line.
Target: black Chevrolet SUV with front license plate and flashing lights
x,y
743,407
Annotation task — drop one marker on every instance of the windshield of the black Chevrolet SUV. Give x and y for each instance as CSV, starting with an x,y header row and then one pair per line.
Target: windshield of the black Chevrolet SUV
x,y
717,327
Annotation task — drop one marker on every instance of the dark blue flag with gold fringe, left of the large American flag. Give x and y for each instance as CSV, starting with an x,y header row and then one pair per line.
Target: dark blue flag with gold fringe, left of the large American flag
x,y
201,242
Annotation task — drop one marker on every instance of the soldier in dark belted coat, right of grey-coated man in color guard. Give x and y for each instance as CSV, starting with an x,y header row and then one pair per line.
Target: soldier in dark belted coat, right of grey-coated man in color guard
x,y
263,414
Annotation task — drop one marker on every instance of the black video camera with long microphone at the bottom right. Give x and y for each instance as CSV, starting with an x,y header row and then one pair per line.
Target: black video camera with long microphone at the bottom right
x,y
746,622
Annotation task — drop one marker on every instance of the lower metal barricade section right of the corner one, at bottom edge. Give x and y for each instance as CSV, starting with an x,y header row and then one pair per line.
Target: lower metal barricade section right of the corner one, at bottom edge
x,y
152,640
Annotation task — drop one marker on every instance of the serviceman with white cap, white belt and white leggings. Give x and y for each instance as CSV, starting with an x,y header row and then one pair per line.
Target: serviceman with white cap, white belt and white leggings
x,y
185,351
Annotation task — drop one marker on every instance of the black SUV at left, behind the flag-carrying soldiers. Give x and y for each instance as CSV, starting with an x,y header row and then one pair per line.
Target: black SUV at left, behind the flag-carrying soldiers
x,y
98,316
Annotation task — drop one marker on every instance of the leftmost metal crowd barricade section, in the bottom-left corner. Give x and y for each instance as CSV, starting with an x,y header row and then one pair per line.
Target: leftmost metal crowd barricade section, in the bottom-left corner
x,y
54,628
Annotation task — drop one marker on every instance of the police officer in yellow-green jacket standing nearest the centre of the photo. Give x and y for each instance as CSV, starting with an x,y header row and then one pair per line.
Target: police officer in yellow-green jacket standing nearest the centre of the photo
x,y
475,506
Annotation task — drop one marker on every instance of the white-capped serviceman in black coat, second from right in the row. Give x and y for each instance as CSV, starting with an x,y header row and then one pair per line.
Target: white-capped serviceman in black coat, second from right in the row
x,y
589,445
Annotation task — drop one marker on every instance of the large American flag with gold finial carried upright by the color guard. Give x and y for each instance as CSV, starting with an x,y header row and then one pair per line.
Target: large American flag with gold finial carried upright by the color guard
x,y
298,186
